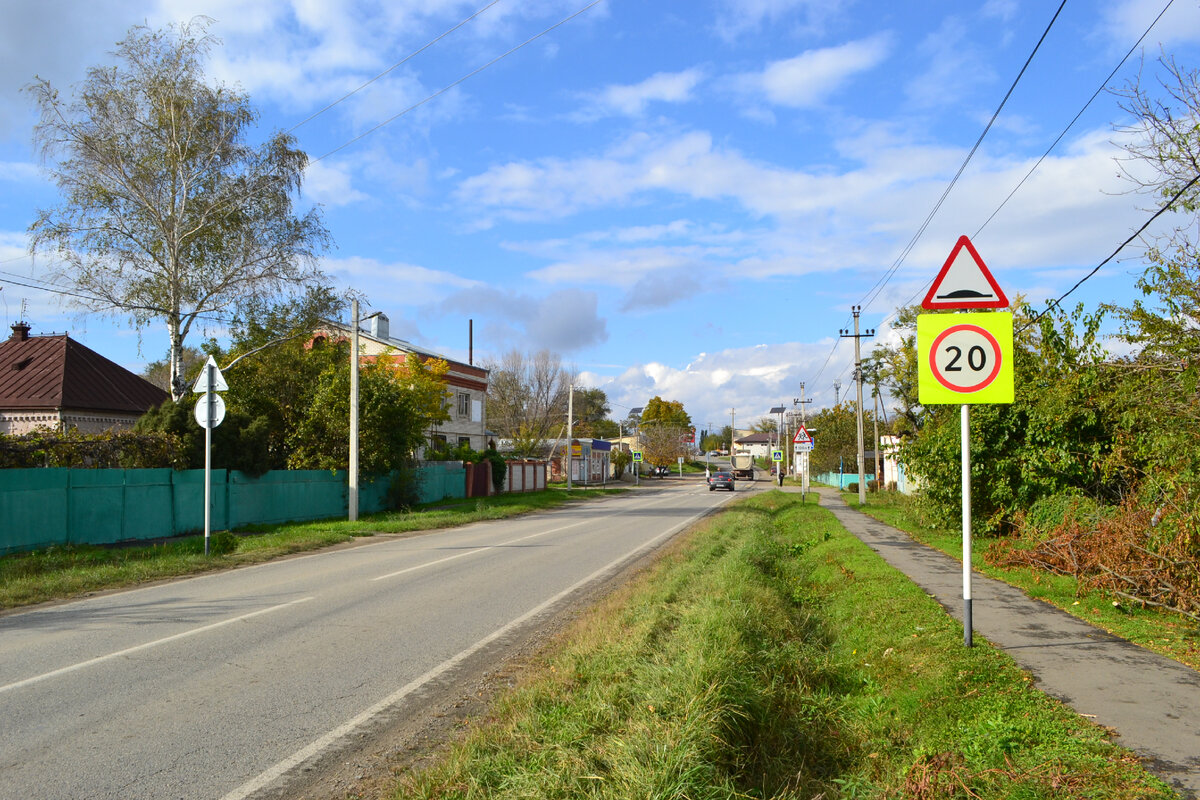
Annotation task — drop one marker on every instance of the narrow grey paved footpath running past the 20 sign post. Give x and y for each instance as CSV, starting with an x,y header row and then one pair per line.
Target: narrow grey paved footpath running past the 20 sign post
x,y
1153,702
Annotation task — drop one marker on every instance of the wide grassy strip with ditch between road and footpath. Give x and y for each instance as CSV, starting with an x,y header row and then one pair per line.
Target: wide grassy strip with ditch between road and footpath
x,y
773,655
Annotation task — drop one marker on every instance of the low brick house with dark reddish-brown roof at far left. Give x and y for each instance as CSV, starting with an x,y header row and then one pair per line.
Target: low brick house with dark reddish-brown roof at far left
x,y
53,382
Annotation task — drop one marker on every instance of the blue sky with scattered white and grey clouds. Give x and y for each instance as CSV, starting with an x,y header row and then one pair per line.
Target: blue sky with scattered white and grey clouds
x,y
682,199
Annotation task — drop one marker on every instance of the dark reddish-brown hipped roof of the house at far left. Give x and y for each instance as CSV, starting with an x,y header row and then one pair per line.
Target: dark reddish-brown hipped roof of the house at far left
x,y
57,372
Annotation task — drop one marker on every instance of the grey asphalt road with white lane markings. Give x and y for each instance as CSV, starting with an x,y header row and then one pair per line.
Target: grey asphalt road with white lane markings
x,y
229,685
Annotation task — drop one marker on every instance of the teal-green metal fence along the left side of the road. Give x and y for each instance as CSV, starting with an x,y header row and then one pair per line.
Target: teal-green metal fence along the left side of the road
x,y
44,508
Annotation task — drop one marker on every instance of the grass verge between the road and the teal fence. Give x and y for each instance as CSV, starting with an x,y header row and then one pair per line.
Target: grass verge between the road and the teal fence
x,y
63,573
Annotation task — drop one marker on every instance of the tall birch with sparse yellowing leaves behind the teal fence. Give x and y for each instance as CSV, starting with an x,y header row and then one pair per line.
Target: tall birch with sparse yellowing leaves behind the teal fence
x,y
167,213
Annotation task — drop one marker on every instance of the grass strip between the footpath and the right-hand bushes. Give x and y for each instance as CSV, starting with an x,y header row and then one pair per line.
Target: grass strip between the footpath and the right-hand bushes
x,y
1153,629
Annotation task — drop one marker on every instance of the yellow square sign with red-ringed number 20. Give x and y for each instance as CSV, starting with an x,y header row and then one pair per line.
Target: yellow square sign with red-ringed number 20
x,y
965,358
